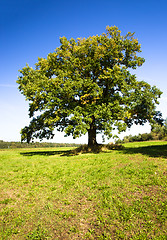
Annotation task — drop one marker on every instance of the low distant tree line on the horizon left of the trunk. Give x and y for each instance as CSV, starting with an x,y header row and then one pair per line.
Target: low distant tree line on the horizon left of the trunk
x,y
4,145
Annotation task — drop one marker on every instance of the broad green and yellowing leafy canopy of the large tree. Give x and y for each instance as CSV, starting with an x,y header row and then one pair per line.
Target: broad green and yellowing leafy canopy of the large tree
x,y
85,86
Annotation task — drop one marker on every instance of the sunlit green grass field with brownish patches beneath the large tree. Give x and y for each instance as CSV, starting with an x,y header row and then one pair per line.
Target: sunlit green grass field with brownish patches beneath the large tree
x,y
117,194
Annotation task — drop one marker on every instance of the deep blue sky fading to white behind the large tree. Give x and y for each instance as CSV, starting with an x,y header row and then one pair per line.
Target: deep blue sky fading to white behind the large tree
x,y
31,28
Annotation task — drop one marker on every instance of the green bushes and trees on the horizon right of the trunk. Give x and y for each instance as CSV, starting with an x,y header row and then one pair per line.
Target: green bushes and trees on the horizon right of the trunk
x,y
158,132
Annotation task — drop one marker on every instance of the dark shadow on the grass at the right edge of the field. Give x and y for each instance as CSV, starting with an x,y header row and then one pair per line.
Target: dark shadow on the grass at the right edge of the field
x,y
151,151
